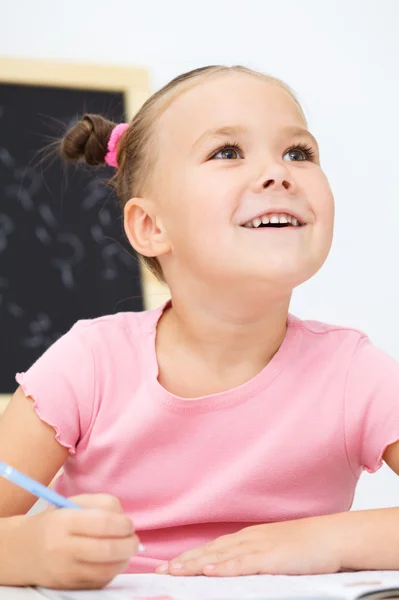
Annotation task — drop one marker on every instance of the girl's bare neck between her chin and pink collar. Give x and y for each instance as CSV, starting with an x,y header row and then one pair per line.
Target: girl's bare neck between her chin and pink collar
x,y
226,331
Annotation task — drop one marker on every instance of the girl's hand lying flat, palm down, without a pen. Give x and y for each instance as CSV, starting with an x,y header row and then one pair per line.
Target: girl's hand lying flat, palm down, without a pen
x,y
306,546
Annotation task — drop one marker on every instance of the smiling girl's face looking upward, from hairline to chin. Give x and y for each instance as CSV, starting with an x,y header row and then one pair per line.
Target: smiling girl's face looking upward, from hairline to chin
x,y
233,149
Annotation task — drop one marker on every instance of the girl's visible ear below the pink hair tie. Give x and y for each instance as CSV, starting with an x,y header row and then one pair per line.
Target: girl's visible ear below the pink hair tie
x,y
144,228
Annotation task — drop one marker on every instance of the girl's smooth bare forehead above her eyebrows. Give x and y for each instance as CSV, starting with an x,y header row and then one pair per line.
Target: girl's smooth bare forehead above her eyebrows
x,y
228,99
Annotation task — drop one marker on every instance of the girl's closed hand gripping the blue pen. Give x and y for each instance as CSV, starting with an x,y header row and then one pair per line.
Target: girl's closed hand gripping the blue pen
x,y
71,549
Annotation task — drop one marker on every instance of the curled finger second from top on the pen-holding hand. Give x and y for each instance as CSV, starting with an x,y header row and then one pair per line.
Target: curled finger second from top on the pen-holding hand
x,y
97,523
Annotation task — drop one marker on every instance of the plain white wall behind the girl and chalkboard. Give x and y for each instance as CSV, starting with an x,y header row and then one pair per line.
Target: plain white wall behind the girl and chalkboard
x,y
342,58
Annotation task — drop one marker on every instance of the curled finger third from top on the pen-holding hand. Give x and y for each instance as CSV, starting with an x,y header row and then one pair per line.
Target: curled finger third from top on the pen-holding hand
x,y
95,550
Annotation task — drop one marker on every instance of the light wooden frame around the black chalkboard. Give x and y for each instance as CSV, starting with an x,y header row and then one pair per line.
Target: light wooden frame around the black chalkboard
x,y
132,83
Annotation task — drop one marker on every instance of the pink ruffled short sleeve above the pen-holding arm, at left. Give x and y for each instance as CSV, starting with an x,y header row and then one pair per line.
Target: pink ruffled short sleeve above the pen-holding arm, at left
x,y
61,384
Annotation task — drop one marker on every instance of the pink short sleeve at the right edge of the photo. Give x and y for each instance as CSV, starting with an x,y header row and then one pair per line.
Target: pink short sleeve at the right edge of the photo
x,y
371,406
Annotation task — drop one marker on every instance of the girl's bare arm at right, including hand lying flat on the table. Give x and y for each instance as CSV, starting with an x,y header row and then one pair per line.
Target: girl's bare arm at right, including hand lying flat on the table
x,y
358,540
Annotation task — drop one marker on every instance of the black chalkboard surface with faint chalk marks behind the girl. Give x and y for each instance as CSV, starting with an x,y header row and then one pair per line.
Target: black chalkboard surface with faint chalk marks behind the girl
x,y
63,254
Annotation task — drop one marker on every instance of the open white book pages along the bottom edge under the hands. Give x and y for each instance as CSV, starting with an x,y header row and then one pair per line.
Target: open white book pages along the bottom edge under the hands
x,y
340,585
